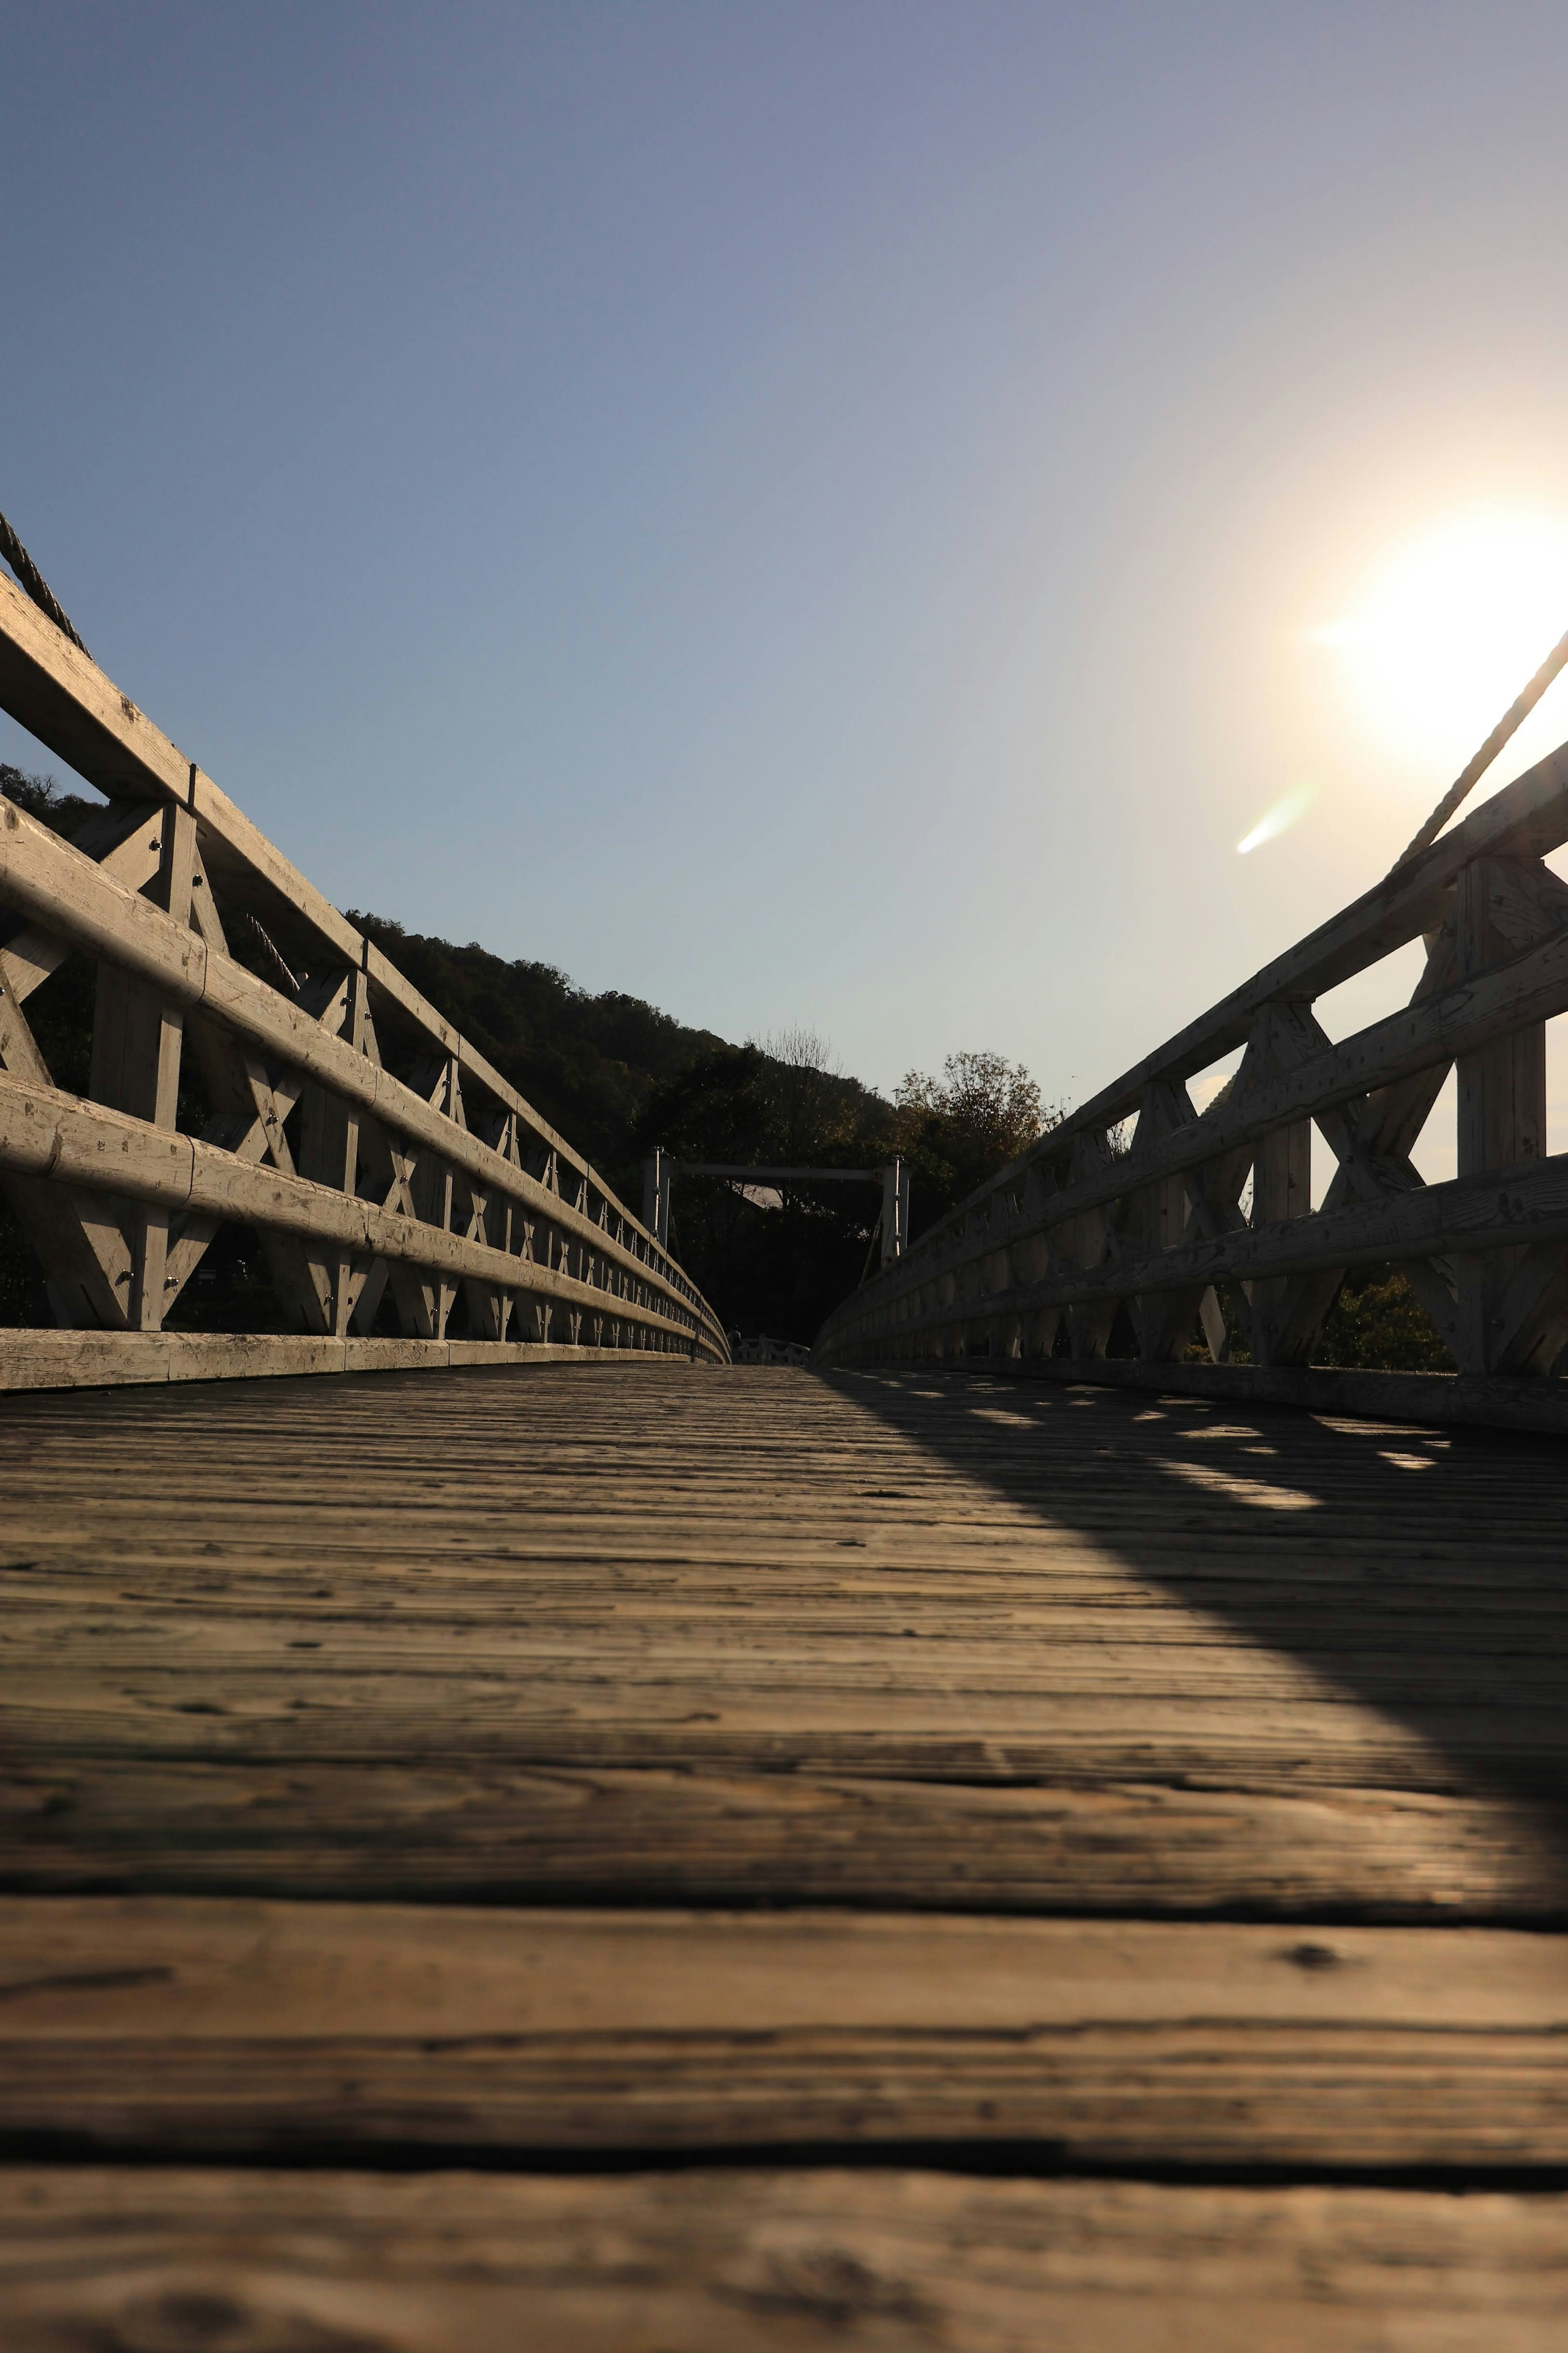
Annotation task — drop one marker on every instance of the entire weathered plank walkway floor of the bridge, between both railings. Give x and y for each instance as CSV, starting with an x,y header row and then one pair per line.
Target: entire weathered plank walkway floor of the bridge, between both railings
x,y
683,1858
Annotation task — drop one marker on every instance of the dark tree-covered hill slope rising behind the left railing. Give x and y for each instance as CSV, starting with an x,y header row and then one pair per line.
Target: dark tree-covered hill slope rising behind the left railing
x,y
587,1062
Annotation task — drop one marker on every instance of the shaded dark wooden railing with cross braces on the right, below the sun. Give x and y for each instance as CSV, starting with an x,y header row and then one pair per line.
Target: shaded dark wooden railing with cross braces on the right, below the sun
x,y
1031,1272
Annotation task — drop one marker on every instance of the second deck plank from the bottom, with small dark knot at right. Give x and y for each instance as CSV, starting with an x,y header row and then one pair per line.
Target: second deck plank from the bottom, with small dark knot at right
x,y
196,2027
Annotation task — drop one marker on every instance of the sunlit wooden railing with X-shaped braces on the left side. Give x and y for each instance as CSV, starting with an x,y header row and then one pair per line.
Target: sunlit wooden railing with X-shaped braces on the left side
x,y
351,1126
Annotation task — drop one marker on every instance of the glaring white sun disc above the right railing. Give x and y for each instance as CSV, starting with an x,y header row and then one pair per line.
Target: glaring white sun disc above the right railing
x,y
1447,634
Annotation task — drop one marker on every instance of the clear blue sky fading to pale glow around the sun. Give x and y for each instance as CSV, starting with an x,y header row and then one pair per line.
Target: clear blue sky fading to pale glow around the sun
x,y
808,514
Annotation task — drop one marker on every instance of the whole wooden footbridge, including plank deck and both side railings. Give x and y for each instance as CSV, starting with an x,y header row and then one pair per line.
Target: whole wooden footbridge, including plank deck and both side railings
x,y
979,1844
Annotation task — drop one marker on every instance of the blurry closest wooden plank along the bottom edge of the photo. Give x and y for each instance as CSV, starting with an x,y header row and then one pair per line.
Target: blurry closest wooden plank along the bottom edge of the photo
x,y
772,2260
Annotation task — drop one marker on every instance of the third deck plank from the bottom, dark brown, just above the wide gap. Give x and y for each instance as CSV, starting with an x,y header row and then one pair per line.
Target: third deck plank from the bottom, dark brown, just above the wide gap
x,y
497,1832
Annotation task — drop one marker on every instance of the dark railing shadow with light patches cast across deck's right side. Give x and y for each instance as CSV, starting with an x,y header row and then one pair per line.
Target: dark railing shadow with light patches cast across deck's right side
x,y
1414,1573
